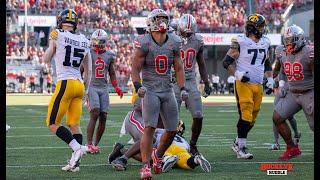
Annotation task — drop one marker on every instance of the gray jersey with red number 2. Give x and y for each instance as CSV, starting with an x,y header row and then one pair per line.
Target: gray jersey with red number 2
x,y
100,67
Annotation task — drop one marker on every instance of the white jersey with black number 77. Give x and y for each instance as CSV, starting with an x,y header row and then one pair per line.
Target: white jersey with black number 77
x,y
252,57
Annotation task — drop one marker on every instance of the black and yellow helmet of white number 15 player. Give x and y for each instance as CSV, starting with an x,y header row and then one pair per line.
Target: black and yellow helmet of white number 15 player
x,y
67,16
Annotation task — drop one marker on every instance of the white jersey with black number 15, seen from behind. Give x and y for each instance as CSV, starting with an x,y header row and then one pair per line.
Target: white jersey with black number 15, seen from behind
x,y
70,51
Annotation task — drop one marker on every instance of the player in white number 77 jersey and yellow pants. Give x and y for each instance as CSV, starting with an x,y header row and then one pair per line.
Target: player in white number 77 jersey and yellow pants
x,y
247,59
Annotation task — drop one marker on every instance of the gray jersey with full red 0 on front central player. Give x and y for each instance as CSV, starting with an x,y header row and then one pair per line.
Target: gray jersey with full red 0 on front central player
x,y
156,74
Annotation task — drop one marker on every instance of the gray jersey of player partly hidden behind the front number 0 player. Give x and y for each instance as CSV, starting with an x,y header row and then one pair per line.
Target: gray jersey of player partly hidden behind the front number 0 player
x,y
189,52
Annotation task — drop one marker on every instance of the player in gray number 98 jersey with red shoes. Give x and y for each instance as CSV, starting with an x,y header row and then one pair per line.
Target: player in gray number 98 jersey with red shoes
x,y
297,63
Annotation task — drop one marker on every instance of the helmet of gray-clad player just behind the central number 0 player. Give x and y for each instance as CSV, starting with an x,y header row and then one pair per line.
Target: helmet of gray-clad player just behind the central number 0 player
x,y
187,25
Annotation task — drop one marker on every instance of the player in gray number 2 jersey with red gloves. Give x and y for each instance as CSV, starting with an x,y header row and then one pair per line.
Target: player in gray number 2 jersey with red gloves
x,y
98,96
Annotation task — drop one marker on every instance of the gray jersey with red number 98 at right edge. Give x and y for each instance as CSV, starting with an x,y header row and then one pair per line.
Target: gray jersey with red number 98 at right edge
x,y
297,69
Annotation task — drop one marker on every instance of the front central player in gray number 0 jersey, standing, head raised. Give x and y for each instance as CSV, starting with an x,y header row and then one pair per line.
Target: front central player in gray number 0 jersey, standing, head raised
x,y
156,52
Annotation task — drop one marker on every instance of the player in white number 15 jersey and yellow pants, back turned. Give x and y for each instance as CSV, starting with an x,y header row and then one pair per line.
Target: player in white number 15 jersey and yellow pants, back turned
x,y
69,50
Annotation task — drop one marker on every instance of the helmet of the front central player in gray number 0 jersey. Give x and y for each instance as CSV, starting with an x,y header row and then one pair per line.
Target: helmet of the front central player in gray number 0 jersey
x,y
158,20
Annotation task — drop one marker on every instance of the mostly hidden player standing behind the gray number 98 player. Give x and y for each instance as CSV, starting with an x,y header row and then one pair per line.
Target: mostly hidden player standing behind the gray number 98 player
x,y
281,91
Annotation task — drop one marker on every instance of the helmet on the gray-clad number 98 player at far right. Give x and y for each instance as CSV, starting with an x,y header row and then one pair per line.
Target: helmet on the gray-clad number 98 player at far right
x,y
294,39
